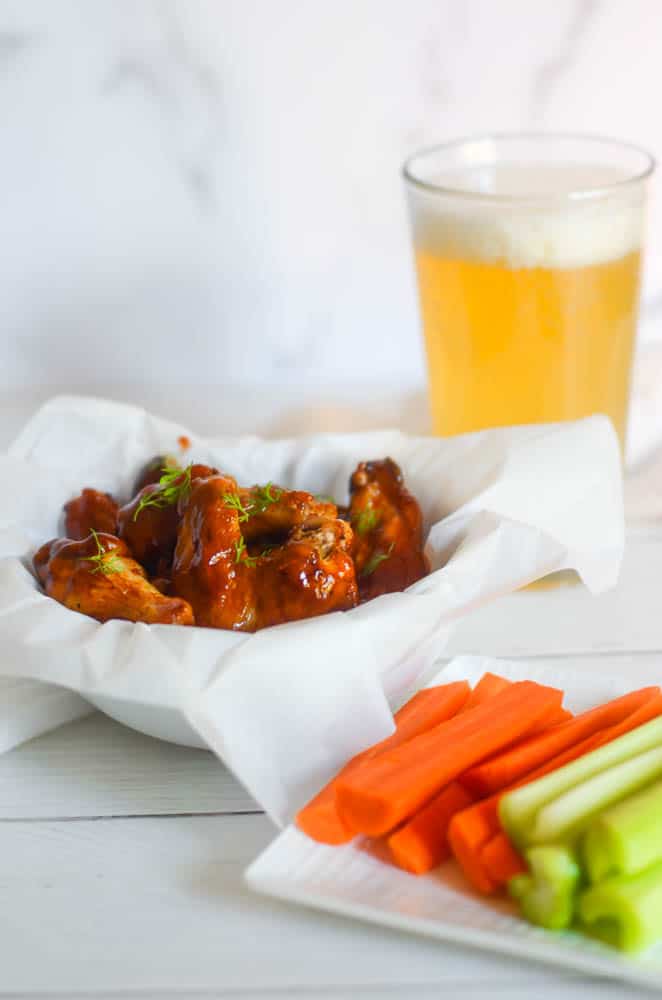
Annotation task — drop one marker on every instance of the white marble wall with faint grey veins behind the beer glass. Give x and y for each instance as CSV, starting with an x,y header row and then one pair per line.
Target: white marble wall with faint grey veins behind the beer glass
x,y
208,191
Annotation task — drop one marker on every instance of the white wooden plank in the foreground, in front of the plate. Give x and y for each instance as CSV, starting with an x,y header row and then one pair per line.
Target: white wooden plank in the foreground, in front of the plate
x,y
135,905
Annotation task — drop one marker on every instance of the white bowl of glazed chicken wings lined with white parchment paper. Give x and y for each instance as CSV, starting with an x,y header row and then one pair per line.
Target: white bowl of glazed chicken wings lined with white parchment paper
x,y
223,600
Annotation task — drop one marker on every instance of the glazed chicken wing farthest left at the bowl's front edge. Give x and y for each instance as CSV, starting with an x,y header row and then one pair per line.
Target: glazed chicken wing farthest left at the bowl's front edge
x,y
98,577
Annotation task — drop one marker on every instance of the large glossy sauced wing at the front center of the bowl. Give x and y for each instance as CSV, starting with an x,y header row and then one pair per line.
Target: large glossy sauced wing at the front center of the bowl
x,y
236,580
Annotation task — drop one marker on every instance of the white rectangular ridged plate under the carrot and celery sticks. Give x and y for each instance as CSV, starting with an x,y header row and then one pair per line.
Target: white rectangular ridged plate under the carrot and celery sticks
x,y
348,881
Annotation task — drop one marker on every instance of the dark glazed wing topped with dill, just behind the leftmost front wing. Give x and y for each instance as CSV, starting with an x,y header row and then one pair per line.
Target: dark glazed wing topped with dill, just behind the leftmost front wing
x,y
149,522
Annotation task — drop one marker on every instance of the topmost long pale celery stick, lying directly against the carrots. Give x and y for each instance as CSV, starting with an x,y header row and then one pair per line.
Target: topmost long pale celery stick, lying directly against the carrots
x,y
517,809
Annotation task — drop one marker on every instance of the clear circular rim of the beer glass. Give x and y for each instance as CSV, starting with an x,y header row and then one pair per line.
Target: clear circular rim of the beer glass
x,y
580,194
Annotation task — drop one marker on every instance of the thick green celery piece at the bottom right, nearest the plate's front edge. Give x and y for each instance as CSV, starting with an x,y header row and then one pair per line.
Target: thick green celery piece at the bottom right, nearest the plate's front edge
x,y
625,911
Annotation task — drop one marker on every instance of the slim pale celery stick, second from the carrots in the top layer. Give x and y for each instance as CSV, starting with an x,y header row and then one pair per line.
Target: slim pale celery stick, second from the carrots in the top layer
x,y
568,815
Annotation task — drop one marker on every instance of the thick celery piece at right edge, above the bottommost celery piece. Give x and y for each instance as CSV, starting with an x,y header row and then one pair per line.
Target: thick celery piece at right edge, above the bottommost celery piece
x,y
626,838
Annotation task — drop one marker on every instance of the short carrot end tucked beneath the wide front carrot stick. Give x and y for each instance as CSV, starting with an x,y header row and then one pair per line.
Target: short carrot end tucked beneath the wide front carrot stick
x,y
422,843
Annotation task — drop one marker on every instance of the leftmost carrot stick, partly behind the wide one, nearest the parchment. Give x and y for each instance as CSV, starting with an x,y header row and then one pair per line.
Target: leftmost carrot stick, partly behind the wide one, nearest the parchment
x,y
428,708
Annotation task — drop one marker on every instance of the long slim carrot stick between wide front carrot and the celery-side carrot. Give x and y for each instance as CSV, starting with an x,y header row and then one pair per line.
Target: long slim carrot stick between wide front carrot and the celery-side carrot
x,y
506,768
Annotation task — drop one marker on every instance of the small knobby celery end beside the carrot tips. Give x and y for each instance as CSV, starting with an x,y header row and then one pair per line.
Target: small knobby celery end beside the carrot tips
x,y
548,894
